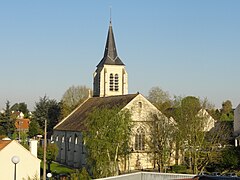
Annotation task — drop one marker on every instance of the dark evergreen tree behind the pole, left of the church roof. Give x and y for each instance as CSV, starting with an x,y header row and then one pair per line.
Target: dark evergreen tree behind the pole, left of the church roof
x,y
47,109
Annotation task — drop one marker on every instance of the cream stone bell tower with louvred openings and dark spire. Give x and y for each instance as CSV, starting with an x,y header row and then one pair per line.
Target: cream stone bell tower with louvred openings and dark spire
x,y
110,78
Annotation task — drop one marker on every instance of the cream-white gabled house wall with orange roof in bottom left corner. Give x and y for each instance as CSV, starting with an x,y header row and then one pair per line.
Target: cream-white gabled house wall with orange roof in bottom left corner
x,y
27,167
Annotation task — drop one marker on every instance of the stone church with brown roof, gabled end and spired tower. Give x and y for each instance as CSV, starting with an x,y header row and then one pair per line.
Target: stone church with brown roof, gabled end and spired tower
x,y
110,87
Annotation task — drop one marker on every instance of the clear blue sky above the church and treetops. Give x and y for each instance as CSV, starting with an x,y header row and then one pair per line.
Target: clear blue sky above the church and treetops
x,y
185,47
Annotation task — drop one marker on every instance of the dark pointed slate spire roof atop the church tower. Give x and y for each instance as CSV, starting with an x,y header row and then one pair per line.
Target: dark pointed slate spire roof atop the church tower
x,y
110,54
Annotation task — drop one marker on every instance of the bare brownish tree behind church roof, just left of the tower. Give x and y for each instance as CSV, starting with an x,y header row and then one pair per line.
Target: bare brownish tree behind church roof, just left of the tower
x,y
73,97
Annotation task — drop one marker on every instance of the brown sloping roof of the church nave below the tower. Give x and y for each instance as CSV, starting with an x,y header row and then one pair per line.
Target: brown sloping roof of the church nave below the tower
x,y
75,121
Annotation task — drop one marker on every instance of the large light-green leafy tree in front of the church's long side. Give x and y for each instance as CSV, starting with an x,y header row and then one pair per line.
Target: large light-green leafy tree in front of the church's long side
x,y
107,139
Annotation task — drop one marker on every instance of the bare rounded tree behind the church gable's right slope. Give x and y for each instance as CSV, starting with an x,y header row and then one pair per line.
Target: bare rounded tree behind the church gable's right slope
x,y
160,98
